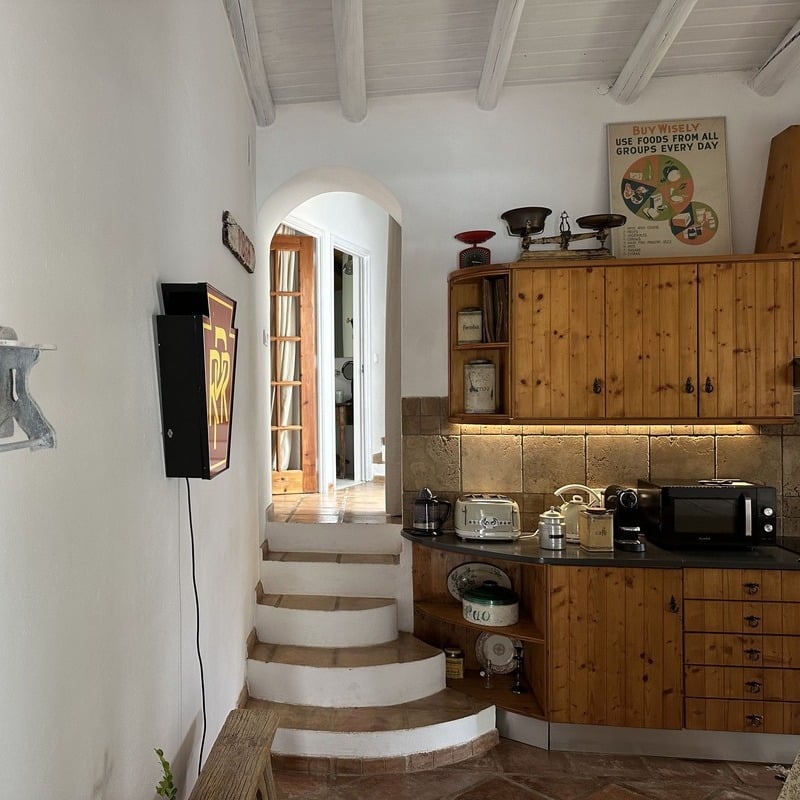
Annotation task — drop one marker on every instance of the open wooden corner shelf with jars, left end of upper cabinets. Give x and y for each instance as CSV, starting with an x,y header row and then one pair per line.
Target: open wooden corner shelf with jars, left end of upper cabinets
x,y
480,372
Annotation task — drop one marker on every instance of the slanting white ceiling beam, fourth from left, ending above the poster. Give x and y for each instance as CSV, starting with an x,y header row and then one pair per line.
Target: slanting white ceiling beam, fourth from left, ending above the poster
x,y
665,24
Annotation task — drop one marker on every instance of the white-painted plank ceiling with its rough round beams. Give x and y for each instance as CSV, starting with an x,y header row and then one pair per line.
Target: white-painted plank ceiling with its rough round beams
x,y
302,51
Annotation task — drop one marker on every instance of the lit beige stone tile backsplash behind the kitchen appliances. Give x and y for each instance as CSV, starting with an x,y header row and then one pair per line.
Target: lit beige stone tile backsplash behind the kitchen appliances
x,y
527,462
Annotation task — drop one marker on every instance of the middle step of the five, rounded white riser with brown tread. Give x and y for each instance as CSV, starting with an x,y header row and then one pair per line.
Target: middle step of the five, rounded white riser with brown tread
x,y
325,620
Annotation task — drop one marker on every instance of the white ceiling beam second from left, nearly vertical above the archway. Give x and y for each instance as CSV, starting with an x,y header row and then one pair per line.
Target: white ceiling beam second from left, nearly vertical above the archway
x,y
348,35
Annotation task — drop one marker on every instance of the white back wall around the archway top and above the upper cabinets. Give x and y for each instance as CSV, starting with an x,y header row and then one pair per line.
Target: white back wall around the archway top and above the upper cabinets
x,y
452,167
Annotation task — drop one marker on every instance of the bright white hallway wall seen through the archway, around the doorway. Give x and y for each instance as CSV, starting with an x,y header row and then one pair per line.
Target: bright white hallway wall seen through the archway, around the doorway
x,y
355,219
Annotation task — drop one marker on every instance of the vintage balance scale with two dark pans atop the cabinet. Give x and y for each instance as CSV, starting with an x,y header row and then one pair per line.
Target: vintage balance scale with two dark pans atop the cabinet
x,y
528,222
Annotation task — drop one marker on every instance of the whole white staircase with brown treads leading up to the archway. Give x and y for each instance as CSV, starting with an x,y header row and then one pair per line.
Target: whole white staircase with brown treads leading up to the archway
x,y
333,654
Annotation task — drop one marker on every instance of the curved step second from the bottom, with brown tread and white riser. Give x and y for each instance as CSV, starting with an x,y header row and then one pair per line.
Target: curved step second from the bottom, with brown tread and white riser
x,y
399,671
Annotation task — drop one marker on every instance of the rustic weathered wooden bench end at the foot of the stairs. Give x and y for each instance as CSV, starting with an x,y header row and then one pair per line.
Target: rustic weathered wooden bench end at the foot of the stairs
x,y
239,766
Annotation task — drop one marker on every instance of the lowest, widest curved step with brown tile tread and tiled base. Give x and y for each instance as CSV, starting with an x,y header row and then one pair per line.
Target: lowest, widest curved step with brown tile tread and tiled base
x,y
444,727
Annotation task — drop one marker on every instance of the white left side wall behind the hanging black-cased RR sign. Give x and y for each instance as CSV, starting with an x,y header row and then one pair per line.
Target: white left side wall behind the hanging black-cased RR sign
x,y
123,137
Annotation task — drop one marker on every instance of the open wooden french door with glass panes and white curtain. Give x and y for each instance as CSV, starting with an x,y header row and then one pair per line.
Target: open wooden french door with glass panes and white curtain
x,y
293,354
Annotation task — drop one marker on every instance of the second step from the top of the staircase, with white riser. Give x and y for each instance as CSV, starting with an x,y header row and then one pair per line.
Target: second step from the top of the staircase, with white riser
x,y
342,574
